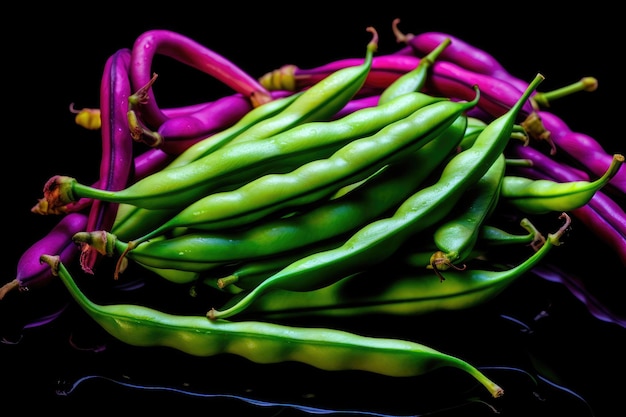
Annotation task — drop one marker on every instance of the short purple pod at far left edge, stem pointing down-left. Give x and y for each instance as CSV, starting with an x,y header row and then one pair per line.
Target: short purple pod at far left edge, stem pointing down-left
x,y
30,272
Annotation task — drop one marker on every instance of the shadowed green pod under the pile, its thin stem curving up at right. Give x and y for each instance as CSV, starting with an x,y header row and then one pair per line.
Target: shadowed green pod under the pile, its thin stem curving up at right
x,y
404,291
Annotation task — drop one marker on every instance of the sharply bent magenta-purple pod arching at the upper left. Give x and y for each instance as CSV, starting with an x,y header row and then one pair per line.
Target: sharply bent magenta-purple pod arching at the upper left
x,y
185,50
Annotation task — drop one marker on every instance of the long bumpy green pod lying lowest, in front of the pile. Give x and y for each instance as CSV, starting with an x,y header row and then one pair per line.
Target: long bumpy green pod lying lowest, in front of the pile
x,y
265,343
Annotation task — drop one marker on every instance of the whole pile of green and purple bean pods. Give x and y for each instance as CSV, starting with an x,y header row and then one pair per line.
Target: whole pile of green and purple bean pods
x,y
431,166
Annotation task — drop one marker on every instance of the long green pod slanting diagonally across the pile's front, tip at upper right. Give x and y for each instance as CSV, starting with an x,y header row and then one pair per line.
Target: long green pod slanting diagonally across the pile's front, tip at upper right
x,y
380,239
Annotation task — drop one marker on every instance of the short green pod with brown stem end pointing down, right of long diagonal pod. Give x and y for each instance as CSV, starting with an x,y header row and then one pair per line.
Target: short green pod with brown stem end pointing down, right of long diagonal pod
x,y
456,237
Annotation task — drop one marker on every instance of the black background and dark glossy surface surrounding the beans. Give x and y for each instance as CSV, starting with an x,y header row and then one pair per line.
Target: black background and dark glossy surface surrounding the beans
x,y
55,57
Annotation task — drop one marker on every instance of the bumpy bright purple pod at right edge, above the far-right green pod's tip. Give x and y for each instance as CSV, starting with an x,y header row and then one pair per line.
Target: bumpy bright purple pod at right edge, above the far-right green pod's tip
x,y
583,148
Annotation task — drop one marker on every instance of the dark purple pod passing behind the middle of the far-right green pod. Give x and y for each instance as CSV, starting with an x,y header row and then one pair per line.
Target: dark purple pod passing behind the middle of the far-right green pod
x,y
602,215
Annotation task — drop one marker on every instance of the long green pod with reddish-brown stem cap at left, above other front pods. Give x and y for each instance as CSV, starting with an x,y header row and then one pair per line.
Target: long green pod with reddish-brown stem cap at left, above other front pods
x,y
232,166
